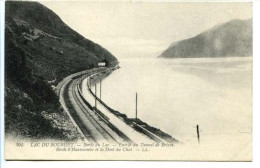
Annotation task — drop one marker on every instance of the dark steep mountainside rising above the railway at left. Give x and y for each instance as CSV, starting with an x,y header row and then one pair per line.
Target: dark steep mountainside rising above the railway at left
x,y
40,50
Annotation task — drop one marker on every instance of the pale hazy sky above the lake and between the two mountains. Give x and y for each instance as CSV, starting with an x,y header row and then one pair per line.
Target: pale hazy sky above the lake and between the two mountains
x,y
144,29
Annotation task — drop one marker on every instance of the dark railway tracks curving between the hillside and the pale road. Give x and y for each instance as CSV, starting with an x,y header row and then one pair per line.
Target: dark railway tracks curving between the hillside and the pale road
x,y
95,128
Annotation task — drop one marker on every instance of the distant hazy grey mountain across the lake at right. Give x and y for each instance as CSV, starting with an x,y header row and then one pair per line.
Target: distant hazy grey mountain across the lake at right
x,y
233,38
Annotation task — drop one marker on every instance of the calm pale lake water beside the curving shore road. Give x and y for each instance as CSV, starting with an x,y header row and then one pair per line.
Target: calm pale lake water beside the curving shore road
x,y
177,94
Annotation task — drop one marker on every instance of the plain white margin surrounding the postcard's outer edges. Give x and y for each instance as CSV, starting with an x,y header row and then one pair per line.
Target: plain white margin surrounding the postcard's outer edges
x,y
128,164
